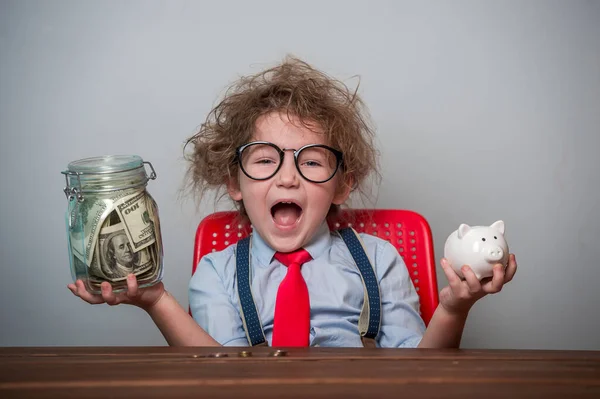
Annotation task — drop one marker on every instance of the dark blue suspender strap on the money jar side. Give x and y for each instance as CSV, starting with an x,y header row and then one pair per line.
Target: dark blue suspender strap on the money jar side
x,y
250,318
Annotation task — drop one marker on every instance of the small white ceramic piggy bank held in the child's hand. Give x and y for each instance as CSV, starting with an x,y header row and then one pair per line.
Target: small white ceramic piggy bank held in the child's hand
x,y
480,247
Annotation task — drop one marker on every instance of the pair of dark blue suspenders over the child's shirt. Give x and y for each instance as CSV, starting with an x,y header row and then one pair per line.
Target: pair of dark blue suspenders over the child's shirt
x,y
370,317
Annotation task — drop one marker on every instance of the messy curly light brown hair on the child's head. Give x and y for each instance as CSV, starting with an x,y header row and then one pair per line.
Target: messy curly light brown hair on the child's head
x,y
300,91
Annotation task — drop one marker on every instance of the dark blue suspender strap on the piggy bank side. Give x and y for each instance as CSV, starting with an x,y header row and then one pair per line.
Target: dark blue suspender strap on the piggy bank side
x,y
370,316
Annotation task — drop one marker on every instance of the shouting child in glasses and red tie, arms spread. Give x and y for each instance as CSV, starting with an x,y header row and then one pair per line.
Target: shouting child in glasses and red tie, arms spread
x,y
290,144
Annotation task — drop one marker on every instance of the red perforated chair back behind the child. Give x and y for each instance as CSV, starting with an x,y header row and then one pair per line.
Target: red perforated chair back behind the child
x,y
408,231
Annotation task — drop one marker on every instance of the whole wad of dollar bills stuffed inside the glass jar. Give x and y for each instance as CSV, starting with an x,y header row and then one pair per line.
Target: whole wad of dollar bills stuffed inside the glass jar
x,y
115,222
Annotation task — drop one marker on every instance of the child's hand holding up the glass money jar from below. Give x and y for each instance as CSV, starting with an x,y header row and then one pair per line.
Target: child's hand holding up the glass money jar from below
x,y
144,298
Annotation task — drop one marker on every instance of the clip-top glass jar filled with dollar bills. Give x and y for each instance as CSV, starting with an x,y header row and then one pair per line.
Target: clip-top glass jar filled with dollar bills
x,y
112,222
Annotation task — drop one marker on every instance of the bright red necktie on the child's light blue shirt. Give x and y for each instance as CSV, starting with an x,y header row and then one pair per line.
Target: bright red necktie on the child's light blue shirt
x,y
291,325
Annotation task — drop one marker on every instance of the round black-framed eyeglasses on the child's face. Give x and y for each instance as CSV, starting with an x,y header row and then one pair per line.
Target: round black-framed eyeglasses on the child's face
x,y
261,160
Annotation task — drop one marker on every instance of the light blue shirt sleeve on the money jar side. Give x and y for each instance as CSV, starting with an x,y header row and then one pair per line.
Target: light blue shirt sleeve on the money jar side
x,y
213,299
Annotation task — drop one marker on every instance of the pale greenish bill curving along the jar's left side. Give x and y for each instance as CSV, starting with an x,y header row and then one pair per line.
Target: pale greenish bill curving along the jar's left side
x,y
86,219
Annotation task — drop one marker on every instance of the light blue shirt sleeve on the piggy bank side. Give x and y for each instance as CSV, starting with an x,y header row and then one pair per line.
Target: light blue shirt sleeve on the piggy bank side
x,y
401,324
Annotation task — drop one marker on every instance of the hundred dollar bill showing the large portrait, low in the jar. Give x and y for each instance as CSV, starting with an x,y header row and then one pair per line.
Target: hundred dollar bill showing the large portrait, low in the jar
x,y
115,257
